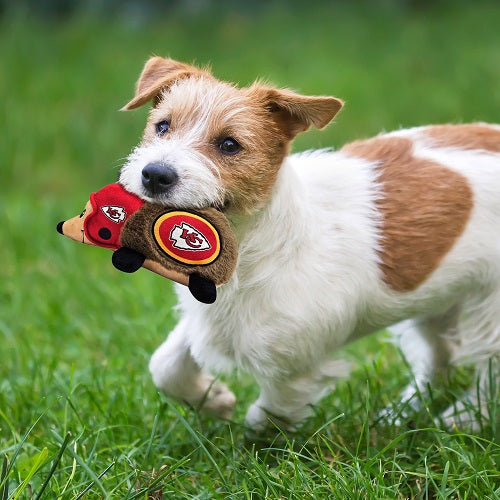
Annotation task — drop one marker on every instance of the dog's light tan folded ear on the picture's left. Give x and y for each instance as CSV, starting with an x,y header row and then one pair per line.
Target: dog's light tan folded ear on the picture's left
x,y
159,73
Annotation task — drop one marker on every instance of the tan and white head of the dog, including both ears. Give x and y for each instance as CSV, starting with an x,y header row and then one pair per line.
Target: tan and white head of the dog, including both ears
x,y
209,143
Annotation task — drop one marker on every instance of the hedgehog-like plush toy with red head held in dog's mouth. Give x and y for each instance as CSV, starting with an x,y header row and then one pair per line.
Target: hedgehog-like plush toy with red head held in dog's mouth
x,y
195,248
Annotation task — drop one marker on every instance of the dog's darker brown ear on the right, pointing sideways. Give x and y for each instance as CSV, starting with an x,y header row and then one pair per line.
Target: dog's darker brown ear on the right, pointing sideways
x,y
295,113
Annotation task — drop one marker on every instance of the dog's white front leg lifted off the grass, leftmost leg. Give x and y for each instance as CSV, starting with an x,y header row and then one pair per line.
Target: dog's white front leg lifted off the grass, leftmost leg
x,y
177,374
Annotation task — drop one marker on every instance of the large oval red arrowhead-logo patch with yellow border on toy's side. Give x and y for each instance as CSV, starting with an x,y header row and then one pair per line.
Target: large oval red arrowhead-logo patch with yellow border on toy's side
x,y
187,238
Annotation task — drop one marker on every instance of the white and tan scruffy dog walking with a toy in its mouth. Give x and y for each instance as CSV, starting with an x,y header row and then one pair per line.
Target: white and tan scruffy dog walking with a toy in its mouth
x,y
401,229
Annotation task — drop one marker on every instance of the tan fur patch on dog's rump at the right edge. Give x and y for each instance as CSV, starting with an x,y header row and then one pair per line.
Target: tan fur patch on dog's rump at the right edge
x,y
475,136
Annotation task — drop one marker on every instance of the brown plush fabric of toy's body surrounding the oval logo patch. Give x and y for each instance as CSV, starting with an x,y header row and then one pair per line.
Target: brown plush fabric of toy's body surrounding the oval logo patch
x,y
137,234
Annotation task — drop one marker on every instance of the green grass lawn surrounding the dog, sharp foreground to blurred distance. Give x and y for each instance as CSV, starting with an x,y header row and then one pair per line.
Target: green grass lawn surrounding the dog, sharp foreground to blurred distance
x,y
79,415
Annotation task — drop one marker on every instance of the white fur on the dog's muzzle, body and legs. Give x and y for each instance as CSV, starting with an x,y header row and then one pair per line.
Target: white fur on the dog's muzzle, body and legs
x,y
308,282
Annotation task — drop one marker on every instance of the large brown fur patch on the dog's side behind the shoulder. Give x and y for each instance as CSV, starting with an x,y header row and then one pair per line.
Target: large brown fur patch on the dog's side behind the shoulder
x,y
425,208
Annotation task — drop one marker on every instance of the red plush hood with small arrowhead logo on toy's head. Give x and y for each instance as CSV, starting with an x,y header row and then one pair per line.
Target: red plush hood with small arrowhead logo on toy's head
x,y
112,206
